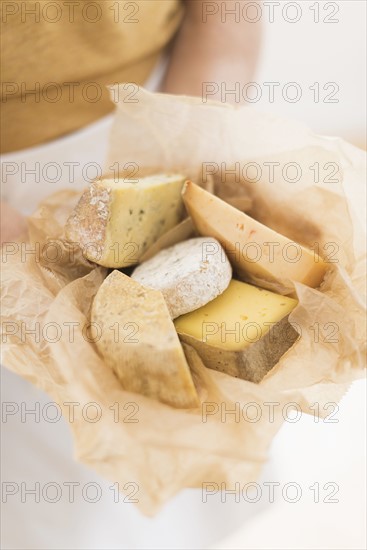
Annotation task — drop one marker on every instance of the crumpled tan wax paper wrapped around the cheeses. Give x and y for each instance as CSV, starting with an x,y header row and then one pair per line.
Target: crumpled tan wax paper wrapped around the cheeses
x,y
136,439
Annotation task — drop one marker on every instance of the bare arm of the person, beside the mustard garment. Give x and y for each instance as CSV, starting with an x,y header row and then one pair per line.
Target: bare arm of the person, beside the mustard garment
x,y
214,54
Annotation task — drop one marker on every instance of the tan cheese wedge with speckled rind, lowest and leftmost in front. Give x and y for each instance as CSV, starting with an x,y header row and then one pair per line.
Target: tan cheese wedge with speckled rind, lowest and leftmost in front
x,y
139,342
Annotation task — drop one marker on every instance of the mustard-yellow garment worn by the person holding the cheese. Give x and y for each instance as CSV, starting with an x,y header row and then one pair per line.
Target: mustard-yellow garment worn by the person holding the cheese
x,y
57,58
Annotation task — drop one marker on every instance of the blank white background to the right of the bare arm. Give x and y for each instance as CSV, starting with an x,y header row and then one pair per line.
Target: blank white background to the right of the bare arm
x,y
307,52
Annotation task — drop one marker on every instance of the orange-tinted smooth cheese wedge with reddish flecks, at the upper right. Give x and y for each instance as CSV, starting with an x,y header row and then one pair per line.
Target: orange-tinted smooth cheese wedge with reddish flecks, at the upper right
x,y
258,254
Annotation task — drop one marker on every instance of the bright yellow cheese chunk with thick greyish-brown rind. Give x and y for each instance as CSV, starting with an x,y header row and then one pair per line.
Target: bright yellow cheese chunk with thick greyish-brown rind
x,y
243,332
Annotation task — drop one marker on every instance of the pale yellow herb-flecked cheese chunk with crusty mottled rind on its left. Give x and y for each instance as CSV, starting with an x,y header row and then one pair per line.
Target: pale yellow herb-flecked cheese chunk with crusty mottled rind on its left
x,y
115,222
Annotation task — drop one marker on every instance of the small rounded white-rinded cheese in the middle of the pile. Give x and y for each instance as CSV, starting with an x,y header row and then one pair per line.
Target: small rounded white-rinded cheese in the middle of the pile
x,y
189,274
